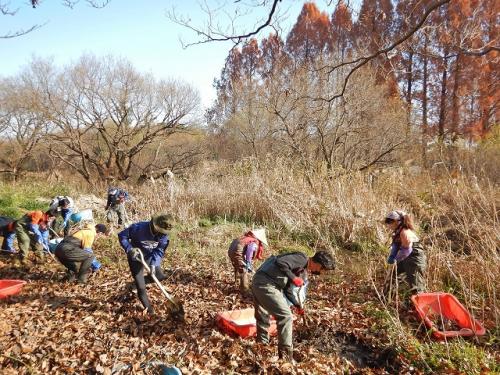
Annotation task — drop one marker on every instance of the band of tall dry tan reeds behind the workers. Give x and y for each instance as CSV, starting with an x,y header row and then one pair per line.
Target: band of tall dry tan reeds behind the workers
x,y
457,217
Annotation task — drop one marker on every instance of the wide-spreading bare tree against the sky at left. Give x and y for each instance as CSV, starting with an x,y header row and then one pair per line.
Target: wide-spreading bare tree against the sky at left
x,y
105,113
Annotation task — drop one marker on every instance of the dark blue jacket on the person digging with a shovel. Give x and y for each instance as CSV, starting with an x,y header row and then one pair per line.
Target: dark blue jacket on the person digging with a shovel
x,y
140,235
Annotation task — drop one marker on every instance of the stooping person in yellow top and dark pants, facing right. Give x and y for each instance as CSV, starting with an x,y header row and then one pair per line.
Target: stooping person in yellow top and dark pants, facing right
x,y
77,248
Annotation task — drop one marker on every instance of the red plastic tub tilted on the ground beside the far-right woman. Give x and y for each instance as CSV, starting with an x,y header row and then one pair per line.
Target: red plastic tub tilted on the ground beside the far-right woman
x,y
437,307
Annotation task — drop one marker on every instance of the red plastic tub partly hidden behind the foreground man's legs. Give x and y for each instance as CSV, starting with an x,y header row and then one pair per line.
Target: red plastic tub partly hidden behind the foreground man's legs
x,y
241,323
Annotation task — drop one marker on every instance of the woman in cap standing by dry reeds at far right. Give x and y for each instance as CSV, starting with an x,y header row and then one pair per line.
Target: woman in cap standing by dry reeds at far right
x,y
406,251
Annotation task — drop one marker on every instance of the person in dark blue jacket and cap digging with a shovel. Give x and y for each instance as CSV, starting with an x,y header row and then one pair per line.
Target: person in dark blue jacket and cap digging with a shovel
x,y
151,239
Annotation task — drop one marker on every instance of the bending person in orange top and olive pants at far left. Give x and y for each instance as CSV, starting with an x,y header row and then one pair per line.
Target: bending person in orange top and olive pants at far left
x,y
32,231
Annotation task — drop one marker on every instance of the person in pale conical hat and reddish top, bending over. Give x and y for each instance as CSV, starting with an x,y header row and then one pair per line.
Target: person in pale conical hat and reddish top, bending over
x,y
242,252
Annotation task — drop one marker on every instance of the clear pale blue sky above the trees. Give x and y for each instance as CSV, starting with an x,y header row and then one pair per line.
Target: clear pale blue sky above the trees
x,y
137,30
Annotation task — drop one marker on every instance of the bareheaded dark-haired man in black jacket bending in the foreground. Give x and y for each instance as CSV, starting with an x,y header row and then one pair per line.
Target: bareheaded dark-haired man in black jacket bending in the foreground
x,y
272,281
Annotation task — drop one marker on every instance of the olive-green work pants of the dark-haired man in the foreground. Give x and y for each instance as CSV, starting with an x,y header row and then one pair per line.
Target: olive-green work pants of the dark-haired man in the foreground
x,y
269,300
